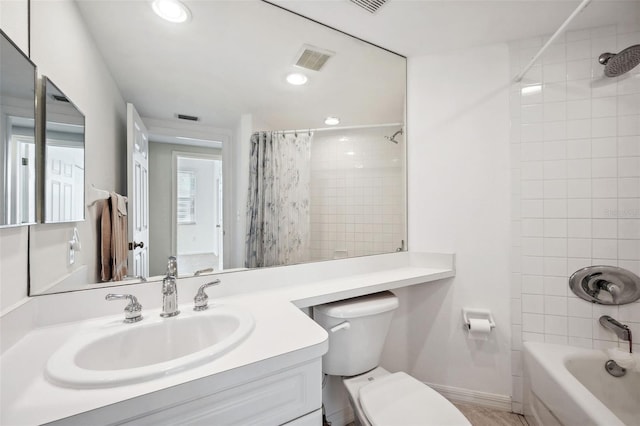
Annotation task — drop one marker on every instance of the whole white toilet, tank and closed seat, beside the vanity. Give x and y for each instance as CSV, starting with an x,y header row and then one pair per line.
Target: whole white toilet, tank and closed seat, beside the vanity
x,y
357,330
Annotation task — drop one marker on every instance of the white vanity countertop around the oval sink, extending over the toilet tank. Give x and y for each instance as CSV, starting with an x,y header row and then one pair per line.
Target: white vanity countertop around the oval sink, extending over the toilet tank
x,y
281,329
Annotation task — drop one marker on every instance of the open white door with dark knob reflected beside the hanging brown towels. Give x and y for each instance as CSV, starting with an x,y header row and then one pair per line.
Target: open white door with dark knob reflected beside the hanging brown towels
x,y
138,193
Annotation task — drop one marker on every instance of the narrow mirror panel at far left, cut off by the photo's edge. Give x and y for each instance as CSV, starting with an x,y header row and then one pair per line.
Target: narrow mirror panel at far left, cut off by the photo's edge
x,y
17,132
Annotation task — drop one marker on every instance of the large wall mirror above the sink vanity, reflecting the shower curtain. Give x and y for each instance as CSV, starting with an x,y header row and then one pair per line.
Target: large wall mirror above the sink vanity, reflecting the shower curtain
x,y
247,169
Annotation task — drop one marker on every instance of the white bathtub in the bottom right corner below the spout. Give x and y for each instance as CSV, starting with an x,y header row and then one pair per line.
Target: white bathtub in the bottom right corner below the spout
x,y
569,386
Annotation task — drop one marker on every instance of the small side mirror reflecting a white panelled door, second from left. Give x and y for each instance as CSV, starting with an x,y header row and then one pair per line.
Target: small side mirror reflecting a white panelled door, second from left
x,y
63,156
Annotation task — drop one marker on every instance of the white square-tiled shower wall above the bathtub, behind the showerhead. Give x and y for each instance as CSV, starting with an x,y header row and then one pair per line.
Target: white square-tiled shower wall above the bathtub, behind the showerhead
x,y
576,187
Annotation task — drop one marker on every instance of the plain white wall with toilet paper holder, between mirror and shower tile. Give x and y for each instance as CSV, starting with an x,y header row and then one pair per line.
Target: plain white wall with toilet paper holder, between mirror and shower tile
x,y
458,193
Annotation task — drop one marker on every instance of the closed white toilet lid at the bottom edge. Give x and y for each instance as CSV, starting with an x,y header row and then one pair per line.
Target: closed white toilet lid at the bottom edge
x,y
399,399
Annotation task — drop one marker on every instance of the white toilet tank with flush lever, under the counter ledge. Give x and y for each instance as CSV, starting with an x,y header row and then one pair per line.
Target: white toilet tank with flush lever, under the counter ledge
x,y
360,327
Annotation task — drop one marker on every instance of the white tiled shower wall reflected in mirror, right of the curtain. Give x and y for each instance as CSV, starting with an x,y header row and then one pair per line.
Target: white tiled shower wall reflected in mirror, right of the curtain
x,y
357,193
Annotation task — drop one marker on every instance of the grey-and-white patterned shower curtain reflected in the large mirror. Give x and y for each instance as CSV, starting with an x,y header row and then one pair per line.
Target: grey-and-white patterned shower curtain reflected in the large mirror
x,y
278,218
